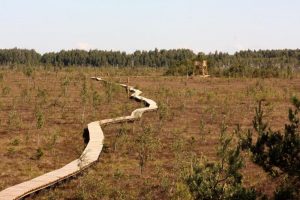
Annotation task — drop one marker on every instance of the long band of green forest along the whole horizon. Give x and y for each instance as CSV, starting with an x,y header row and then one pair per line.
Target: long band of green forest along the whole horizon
x,y
179,61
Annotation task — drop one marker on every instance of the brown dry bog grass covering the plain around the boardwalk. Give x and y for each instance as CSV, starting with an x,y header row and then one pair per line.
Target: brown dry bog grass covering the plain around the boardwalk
x,y
186,125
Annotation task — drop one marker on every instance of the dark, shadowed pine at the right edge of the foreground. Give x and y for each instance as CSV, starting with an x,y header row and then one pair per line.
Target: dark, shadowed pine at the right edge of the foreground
x,y
277,153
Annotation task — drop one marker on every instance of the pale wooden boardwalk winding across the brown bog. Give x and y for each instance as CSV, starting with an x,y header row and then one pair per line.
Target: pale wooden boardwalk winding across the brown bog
x,y
89,156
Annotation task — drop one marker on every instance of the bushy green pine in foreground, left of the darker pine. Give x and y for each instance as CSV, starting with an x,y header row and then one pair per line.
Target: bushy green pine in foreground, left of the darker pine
x,y
220,179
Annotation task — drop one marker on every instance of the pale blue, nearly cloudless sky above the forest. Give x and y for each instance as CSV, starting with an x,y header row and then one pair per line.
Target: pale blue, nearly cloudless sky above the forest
x,y
129,25
